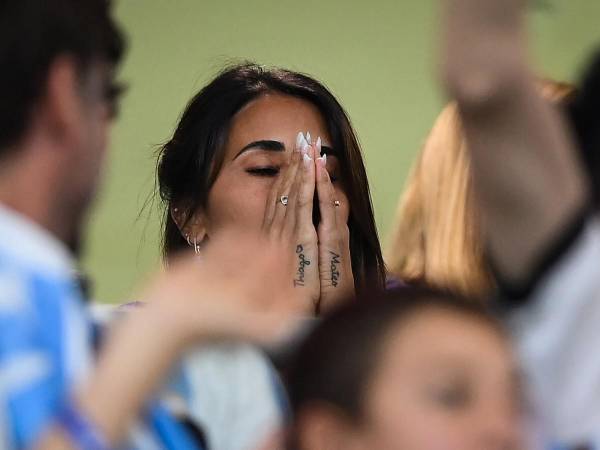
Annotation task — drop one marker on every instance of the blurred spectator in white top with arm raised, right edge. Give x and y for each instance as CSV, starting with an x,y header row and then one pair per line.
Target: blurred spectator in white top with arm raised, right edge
x,y
542,235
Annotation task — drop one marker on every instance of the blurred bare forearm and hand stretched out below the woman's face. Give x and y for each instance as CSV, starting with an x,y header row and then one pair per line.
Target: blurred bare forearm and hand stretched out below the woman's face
x,y
194,303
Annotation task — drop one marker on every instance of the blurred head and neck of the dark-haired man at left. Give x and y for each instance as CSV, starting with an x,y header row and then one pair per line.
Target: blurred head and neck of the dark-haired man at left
x,y
58,95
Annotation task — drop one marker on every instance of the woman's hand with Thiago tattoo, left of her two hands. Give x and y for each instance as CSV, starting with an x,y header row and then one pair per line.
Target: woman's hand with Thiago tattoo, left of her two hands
x,y
288,226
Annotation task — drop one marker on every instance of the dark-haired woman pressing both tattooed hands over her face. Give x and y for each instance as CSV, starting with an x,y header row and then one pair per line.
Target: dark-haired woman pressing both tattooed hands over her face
x,y
273,152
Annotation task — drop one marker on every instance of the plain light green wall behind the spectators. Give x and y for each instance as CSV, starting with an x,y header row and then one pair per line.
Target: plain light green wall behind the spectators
x,y
378,57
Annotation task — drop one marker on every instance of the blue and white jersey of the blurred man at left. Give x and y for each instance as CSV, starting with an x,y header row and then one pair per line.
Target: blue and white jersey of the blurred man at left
x,y
45,340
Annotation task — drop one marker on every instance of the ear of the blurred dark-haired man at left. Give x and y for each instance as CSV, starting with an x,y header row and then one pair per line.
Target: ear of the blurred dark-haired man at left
x,y
62,102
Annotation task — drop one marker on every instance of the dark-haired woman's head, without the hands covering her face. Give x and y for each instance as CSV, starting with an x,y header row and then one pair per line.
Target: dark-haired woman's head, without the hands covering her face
x,y
234,143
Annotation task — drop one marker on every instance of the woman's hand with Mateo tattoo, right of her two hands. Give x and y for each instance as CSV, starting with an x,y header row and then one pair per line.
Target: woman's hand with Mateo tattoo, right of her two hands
x,y
335,264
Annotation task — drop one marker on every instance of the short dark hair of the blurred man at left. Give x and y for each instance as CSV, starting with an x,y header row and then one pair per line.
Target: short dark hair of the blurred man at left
x,y
33,33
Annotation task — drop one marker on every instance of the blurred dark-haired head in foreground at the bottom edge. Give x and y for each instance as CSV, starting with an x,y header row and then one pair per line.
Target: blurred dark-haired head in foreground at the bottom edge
x,y
411,369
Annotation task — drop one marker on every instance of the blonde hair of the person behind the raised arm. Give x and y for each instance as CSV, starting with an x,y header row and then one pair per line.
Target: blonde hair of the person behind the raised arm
x,y
436,240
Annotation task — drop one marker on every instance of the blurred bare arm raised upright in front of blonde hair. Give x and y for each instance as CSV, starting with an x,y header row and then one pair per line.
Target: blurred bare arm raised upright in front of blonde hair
x,y
526,176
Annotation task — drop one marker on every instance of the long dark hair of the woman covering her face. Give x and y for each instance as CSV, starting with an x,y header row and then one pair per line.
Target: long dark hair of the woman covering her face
x,y
190,161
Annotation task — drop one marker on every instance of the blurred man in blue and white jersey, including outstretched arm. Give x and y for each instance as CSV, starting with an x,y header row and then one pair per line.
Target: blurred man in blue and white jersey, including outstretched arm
x,y
58,95
